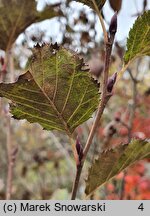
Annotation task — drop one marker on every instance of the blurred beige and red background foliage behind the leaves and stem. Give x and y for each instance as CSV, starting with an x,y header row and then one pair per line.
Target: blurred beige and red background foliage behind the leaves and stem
x,y
43,165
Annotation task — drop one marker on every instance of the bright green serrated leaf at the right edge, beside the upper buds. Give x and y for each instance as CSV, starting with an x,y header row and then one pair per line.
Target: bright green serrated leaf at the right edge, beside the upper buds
x,y
138,43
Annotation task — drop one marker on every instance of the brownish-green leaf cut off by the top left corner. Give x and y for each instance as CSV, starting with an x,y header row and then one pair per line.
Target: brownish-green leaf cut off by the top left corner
x,y
16,16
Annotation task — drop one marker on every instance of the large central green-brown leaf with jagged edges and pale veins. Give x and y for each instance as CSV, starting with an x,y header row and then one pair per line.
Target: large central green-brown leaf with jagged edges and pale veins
x,y
56,92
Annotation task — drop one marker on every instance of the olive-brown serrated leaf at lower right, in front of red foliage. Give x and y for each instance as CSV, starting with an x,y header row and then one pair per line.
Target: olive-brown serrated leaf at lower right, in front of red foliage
x,y
112,162
